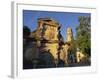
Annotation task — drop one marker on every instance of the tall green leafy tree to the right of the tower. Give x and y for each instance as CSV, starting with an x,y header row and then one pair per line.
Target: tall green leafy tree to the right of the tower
x,y
83,35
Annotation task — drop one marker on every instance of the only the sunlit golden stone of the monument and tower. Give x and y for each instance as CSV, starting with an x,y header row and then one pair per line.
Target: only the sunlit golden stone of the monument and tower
x,y
48,34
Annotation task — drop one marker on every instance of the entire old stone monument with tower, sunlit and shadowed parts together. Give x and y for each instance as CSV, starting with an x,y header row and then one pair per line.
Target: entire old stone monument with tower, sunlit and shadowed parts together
x,y
48,41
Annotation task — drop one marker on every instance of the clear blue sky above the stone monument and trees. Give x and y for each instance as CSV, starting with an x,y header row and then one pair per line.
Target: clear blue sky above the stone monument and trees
x,y
65,19
